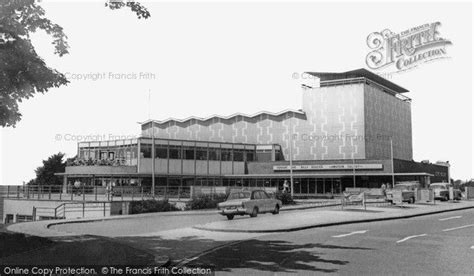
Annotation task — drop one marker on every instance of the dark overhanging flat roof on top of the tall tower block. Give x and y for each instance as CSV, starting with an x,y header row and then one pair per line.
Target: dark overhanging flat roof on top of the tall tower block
x,y
358,73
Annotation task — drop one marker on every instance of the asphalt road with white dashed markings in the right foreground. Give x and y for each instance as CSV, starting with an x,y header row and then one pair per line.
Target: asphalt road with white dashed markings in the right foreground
x,y
441,244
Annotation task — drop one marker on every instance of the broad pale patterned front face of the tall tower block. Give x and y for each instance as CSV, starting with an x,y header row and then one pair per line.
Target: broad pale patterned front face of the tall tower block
x,y
335,124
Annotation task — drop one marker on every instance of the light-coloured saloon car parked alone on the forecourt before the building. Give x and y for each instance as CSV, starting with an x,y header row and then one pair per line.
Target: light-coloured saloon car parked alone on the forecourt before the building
x,y
248,203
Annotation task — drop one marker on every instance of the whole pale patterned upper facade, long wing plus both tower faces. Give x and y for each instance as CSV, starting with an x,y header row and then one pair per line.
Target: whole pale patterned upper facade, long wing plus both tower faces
x,y
348,121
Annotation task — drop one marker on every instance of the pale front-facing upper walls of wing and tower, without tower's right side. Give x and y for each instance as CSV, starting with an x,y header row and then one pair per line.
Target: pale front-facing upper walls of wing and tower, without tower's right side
x,y
330,113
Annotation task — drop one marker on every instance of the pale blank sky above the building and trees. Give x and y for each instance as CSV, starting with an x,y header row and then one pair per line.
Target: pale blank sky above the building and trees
x,y
193,58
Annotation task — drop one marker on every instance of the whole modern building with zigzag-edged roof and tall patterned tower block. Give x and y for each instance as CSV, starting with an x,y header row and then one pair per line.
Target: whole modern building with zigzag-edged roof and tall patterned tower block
x,y
353,130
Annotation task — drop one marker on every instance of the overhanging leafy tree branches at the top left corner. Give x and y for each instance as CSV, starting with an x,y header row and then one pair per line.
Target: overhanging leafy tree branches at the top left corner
x,y
22,72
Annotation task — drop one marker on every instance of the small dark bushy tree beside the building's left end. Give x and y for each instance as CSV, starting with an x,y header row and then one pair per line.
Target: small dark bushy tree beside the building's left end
x,y
45,174
